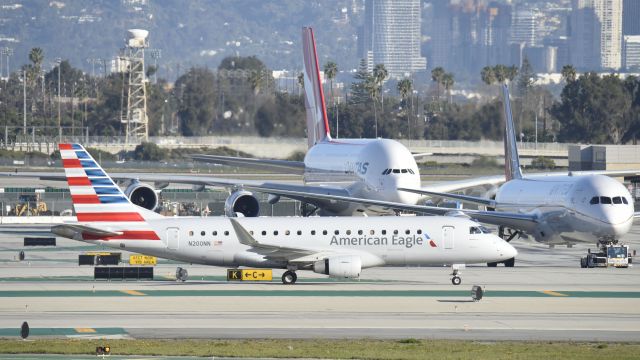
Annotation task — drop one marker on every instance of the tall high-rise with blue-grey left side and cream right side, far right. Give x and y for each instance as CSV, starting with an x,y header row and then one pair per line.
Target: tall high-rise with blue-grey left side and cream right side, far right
x,y
596,34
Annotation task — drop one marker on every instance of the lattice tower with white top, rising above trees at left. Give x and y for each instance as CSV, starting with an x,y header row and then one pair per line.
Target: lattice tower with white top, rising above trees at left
x,y
135,115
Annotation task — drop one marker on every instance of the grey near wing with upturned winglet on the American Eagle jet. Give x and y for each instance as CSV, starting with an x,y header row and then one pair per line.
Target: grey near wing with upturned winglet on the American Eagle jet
x,y
271,252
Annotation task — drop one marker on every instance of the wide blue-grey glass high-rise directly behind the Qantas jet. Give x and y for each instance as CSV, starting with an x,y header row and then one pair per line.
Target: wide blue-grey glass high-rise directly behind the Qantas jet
x,y
395,31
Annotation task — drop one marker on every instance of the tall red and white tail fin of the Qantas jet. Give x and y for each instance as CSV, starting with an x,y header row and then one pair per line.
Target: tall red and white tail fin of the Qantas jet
x,y
317,121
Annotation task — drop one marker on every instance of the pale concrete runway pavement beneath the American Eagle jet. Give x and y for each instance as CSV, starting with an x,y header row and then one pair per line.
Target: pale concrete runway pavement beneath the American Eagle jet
x,y
547,296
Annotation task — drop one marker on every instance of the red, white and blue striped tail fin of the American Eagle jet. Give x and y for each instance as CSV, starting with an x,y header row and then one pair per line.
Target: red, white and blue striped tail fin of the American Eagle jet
x,y
97,199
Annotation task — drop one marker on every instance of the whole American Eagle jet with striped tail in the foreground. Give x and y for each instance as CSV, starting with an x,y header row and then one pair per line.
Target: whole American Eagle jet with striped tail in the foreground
x,y
338,247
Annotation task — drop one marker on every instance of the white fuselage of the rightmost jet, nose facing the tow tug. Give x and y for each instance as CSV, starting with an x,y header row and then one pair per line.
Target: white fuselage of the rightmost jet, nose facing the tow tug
x,y
567,209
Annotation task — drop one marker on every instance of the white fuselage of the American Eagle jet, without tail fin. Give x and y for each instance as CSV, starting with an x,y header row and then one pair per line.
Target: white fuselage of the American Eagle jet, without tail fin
x,y
378,241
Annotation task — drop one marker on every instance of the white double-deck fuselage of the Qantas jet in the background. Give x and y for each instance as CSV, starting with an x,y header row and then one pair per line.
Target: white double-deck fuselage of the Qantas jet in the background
x,y
368,168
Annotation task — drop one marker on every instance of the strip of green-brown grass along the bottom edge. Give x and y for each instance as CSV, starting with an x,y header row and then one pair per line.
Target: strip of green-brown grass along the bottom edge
x,y
335,349
